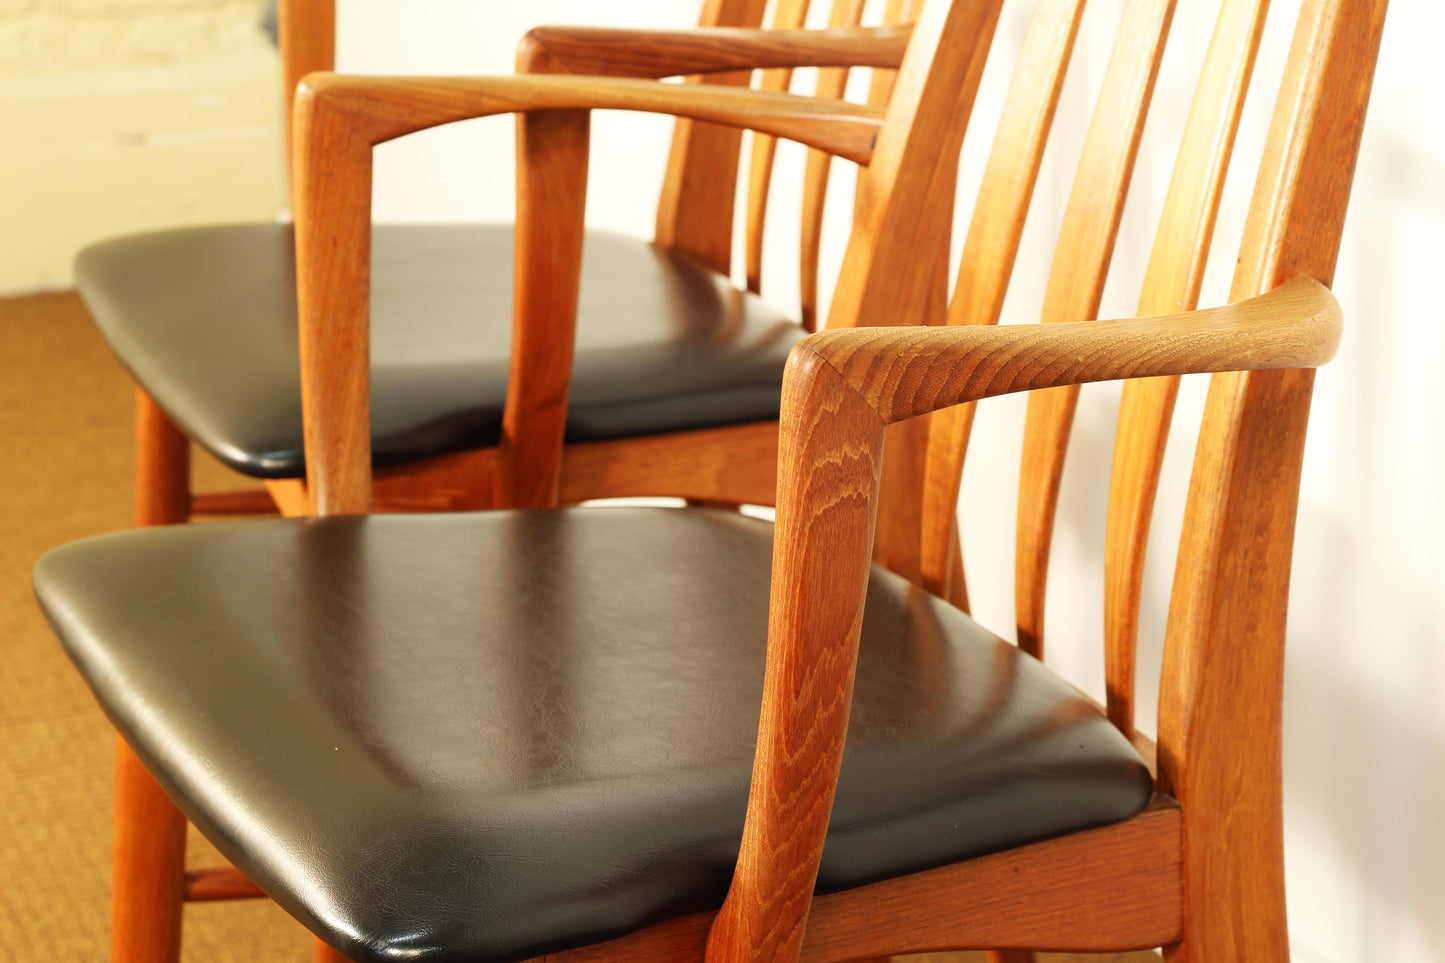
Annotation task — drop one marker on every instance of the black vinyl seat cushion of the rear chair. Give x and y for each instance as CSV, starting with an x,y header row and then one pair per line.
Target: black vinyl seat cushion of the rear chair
x,y
206,320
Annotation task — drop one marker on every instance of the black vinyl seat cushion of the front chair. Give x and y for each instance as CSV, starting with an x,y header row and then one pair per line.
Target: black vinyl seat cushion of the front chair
x,y
489,737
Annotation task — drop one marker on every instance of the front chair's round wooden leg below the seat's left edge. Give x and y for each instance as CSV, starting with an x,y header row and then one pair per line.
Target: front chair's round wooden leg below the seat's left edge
x,y
148,867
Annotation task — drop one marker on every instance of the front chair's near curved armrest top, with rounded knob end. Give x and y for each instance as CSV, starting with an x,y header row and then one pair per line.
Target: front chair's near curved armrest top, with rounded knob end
x,y
910,371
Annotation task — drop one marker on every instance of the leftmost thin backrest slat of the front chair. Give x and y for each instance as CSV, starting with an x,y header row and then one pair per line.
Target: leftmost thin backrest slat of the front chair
x,y
989,257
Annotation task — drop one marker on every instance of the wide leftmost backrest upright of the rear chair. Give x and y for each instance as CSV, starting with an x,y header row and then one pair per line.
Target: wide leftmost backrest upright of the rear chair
x,y
696,210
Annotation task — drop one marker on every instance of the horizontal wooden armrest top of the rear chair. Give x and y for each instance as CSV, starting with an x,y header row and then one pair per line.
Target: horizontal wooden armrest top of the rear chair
x,y
615,53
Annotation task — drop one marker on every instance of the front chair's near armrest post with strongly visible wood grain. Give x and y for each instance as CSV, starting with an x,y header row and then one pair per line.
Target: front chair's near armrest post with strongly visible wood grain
x,y
830,450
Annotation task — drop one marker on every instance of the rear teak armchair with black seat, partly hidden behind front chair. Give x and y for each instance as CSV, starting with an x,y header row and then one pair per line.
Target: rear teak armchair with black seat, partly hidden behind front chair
x,y
677,377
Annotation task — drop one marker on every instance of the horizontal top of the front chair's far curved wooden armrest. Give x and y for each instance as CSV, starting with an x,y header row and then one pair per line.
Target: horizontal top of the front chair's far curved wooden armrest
x,y
379,109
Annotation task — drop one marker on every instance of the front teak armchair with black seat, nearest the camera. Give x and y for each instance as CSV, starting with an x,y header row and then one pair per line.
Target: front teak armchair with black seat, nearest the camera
x,y
502,735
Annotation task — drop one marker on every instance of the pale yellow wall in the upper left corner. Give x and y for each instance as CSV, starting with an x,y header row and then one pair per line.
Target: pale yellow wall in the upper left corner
x,y
128,115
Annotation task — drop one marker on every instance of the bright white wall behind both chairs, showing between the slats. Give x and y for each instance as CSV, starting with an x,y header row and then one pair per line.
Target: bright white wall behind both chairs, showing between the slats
x,y
1365,716
